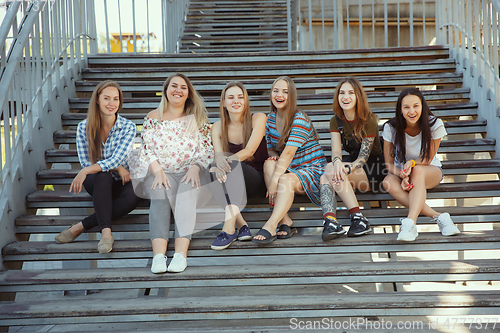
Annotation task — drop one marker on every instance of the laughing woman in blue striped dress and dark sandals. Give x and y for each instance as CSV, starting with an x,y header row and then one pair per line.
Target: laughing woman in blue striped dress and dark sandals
x,y
296,160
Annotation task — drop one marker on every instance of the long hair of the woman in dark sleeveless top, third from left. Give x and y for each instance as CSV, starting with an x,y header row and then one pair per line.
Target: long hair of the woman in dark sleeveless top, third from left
x,y
246,116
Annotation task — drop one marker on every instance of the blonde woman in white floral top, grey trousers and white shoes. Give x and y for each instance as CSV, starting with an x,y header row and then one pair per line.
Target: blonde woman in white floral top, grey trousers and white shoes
x,y
176,149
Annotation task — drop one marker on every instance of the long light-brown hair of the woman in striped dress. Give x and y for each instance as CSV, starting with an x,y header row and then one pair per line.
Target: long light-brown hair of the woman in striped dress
x,y
290,110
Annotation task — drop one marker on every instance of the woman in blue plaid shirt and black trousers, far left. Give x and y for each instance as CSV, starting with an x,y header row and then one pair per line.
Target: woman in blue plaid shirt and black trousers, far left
x,y
103,141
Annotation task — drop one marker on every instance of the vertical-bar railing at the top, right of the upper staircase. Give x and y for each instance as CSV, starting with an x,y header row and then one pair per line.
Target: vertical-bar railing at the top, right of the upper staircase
x,y
346,24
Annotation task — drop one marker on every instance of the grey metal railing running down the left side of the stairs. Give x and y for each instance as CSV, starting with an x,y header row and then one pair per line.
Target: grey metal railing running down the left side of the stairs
x,y
43,49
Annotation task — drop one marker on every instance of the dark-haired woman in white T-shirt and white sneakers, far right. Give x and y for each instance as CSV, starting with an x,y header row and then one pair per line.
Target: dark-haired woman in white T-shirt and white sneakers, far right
x,y
411,141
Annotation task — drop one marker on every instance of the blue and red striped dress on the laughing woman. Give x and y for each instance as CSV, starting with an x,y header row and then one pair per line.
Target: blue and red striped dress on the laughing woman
x,y
309,161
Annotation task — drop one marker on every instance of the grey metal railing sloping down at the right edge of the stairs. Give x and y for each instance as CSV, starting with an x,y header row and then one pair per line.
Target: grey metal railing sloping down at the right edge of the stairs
x,y
473,36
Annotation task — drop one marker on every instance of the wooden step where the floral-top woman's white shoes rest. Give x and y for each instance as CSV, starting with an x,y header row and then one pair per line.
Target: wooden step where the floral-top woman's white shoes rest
x,y
253,275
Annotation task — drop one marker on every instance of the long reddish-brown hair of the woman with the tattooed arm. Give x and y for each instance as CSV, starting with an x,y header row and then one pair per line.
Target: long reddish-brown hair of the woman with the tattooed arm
x,y
362,109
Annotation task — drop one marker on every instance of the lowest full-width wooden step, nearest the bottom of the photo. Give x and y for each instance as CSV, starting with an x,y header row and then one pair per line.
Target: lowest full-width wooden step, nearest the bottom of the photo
x,y
482,303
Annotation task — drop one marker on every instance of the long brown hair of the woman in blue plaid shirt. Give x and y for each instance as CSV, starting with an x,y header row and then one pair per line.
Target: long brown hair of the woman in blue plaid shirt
x,y
94,119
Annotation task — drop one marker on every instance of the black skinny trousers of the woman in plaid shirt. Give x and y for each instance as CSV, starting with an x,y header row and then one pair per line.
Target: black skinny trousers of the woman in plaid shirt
x,y
111,198
